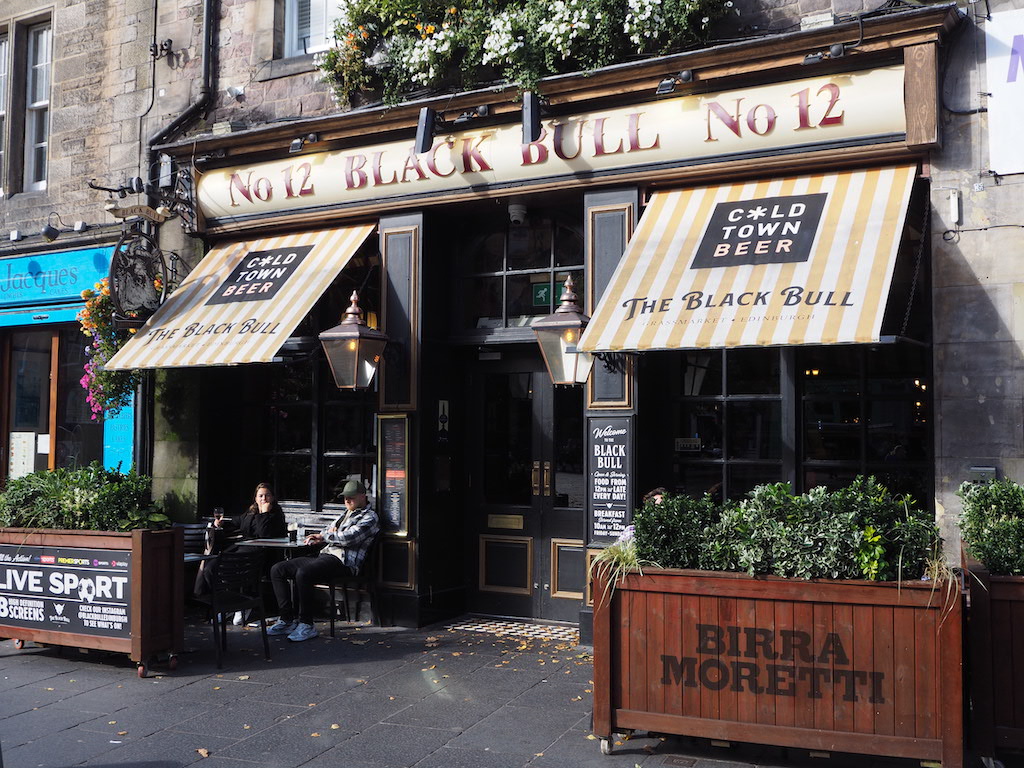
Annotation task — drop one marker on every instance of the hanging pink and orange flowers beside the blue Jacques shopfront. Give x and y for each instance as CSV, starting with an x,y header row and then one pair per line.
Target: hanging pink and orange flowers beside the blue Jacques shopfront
x,y
109,392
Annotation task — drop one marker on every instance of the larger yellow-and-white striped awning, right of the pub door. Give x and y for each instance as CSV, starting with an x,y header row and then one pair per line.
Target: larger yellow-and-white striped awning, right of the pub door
x,y
799,261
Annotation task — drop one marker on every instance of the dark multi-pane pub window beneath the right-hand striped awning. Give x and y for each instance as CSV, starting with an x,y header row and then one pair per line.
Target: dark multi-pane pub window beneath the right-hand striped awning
x,y
744,417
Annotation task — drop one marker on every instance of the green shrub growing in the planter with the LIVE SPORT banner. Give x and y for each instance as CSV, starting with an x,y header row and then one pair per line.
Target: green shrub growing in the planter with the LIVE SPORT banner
x,y
87,499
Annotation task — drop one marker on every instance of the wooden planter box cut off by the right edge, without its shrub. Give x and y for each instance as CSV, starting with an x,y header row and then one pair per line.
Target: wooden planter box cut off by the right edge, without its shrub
x,y
996,639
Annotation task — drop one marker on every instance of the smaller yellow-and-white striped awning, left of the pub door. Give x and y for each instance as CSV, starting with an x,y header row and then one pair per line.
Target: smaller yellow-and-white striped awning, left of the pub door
x,y
243,302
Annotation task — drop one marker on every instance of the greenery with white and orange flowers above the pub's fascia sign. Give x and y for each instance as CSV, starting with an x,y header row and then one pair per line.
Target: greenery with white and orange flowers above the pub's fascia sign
x,y
408,45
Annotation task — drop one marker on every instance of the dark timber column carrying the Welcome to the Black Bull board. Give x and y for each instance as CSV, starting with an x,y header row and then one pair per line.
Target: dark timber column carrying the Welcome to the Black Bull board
x,y
611,218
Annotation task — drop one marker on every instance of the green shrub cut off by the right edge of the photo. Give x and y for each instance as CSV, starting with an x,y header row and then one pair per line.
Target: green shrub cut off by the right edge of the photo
x,y
993,525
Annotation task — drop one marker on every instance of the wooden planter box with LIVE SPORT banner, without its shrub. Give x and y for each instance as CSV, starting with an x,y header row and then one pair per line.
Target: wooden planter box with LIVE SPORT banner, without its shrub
x,y
95,589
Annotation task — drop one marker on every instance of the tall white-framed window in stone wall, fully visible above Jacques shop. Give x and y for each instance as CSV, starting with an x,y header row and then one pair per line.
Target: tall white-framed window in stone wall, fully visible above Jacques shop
x,y
37,104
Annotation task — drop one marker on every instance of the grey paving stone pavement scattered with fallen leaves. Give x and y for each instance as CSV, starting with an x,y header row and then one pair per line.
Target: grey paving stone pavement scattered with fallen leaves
x,y
438,698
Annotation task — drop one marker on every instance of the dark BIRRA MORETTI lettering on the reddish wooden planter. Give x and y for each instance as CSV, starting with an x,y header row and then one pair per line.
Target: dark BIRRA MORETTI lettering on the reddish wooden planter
x,y
778,664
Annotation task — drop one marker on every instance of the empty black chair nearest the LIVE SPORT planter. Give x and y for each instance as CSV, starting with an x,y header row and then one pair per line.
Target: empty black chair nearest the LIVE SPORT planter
x,y
236,586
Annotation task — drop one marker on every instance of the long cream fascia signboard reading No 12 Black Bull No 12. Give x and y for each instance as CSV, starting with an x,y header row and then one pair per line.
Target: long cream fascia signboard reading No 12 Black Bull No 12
x,y
691,129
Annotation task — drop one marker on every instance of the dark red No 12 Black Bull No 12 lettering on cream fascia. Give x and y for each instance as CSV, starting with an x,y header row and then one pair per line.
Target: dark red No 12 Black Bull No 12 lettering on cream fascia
x,y
573,139
